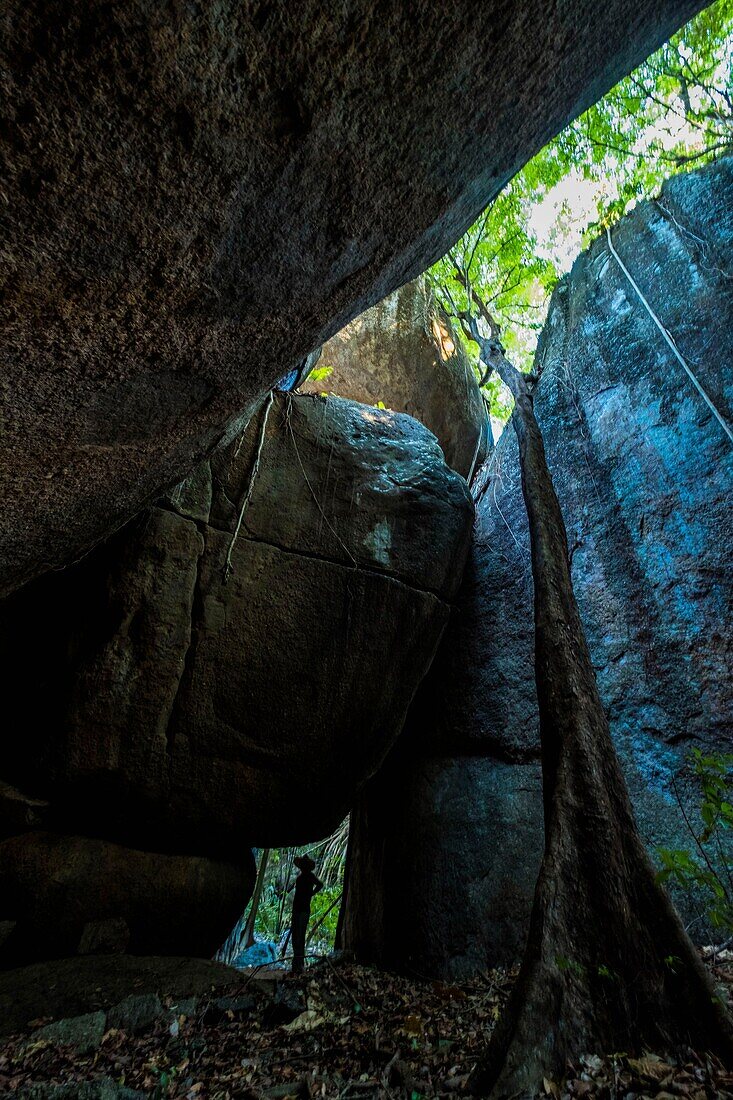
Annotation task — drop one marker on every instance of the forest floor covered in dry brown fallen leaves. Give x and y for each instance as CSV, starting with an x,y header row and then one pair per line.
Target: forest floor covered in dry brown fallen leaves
x,y
340,1031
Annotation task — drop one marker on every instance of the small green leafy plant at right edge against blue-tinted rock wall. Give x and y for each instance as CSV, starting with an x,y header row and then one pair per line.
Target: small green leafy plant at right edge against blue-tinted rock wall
x,y
707,870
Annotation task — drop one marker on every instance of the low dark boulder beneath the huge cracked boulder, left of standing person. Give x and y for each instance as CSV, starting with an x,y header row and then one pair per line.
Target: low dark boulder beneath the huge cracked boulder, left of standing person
x,y
58,888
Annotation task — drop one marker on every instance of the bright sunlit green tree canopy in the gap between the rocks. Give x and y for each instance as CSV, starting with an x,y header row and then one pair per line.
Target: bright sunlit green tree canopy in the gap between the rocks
x,y
674,112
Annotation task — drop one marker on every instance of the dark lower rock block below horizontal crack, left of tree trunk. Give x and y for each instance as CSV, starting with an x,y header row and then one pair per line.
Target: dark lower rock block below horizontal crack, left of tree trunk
x,y
443,857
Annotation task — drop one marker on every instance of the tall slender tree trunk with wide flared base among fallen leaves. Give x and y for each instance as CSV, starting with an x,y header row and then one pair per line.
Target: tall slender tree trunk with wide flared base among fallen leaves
x,y
608,965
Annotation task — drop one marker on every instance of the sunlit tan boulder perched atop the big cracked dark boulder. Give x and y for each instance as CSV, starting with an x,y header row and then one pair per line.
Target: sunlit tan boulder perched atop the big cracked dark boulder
x,y
402,354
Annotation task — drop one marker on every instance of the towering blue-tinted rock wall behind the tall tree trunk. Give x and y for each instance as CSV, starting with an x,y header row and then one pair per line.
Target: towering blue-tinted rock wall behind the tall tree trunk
x,y
644,474
